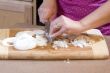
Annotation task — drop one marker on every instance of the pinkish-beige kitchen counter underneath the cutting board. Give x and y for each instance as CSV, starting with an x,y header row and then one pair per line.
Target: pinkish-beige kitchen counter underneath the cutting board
x,y
63,66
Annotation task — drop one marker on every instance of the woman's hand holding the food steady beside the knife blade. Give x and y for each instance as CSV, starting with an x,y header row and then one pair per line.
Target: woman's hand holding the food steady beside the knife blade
x,y
65,25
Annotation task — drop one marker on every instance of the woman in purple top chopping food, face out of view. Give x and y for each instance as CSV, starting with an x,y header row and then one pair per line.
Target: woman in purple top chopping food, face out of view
x,y
75,16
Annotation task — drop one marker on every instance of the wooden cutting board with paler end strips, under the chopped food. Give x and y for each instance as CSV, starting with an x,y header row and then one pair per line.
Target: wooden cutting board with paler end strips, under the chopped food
x,y
99,50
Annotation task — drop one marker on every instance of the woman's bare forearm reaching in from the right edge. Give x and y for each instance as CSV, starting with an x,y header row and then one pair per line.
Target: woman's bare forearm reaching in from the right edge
x,y
97,18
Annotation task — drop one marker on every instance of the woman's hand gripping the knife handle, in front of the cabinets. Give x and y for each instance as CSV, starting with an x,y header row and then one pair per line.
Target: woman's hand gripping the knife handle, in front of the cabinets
x,y
47,11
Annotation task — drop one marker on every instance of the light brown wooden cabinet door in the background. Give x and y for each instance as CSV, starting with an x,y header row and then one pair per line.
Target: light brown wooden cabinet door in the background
x,y
15,12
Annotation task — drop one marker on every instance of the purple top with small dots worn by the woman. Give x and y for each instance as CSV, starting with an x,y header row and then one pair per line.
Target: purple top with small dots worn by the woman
x,y
78,9
